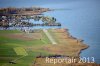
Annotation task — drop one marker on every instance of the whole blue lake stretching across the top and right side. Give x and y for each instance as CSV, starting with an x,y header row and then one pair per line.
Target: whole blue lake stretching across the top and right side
x,y
82,19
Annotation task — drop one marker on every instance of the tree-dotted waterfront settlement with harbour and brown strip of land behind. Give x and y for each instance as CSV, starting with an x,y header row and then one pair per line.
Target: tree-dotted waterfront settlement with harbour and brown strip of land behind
x,y
10,17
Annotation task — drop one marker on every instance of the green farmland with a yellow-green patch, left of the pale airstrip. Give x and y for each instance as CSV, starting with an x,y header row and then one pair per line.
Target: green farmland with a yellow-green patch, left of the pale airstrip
x,y
12,48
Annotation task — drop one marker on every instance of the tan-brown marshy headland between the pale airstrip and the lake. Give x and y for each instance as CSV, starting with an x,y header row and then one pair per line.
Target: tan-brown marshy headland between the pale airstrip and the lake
x,y
73,46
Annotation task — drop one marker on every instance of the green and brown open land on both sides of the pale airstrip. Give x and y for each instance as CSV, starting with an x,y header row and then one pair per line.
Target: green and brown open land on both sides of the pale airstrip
x,y
18,48
